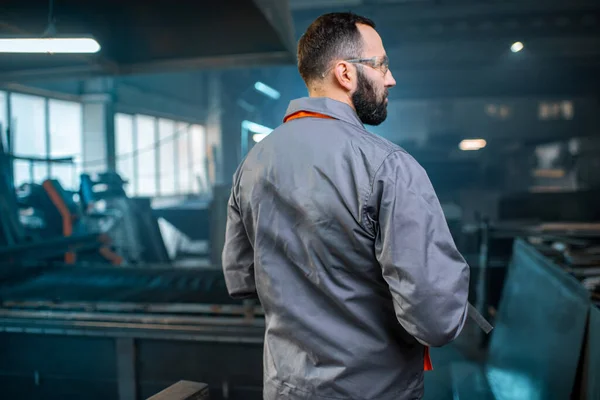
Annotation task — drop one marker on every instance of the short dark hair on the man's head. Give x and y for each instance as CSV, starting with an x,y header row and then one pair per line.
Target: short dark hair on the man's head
x,y
331,36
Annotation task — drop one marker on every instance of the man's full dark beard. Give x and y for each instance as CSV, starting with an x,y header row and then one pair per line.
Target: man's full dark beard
x,y
370,109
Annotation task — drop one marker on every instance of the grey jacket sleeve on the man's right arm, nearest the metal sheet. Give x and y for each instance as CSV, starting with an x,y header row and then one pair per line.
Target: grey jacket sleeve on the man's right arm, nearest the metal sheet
x,y
427,276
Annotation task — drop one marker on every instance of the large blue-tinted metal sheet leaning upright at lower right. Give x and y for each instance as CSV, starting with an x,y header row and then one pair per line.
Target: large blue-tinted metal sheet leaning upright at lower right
x,y
538,335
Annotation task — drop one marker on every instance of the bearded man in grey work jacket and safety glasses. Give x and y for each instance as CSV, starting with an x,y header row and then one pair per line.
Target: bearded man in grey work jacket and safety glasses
x,y
340,235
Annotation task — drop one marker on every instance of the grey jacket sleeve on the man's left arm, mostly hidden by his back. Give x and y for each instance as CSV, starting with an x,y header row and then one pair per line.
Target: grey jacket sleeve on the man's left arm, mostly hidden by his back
x,y
238,254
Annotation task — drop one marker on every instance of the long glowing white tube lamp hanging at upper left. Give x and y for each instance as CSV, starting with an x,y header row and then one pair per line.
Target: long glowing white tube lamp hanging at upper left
x,y
51,45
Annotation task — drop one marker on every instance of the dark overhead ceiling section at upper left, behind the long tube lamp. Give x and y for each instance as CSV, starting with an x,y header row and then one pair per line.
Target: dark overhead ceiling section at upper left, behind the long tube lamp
x,y
140,36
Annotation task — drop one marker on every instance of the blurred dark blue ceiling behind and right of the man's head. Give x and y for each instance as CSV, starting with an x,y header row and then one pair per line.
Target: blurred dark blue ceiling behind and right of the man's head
x,y
462,47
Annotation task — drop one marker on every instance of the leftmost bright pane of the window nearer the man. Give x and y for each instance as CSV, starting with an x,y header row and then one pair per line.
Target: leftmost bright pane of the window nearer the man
x,y
124,142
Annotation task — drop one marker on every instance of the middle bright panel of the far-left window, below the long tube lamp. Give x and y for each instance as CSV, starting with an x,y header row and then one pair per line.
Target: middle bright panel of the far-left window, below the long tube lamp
x,y
28,116
